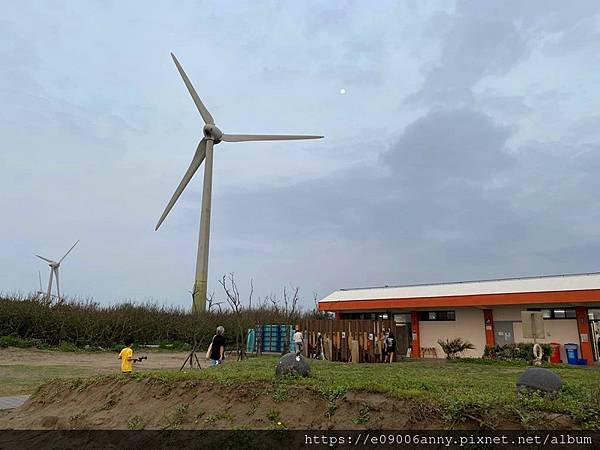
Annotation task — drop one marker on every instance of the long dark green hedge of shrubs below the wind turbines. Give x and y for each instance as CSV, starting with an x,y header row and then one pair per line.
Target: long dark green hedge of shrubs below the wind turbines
x,y
76,324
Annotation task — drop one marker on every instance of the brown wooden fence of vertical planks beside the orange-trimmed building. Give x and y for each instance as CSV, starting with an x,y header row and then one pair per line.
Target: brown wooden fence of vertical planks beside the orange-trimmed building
x,y
352,340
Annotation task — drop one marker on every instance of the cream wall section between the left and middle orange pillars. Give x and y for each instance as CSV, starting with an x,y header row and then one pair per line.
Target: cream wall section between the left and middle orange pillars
x,y
468,326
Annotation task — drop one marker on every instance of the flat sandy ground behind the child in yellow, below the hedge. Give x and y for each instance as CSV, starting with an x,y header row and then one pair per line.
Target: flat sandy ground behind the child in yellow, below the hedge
x,y
23,370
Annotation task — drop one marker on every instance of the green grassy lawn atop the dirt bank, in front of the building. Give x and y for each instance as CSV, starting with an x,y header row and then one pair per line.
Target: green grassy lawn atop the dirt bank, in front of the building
x,y
456,390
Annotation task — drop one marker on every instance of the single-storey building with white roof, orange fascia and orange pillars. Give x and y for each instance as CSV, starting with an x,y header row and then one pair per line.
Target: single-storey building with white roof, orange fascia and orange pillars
x,y
486,312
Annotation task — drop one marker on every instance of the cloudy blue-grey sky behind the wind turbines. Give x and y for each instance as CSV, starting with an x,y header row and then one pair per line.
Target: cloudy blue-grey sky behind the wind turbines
x,y
466,145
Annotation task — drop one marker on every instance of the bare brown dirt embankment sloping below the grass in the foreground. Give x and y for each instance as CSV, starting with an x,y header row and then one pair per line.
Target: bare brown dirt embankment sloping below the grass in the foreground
x,y
200,404
